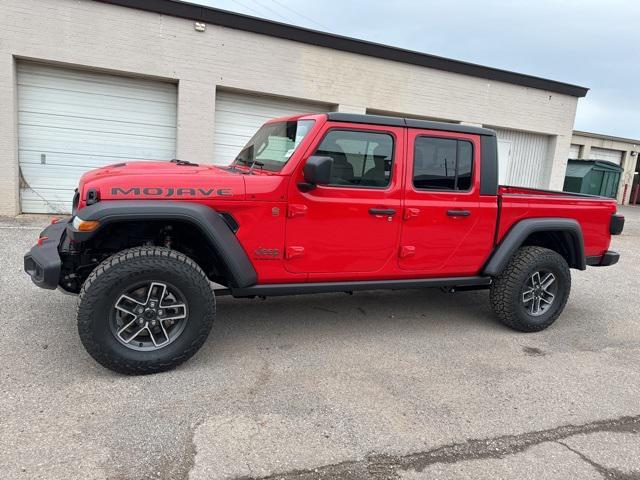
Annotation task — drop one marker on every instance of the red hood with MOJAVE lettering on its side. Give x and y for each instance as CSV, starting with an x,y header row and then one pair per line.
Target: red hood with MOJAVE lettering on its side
x,y
162,180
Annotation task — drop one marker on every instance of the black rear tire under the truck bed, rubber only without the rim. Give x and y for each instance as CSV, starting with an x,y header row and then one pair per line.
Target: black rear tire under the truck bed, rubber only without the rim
x,y
507,288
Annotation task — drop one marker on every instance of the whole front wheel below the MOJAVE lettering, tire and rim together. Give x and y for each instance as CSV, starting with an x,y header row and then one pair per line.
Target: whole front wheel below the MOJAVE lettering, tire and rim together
x,y
145,310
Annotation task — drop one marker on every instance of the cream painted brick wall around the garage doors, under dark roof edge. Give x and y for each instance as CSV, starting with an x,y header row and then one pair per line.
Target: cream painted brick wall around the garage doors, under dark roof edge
x,y
93,35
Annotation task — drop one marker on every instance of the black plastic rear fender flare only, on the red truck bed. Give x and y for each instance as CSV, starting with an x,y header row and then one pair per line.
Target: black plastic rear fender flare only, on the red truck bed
x,y
519,232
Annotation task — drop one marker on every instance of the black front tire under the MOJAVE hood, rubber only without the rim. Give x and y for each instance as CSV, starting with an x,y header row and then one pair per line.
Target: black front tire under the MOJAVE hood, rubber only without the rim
x,y
108,280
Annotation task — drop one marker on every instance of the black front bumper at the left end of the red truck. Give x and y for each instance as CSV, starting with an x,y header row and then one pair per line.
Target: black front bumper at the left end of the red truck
x,y
43,263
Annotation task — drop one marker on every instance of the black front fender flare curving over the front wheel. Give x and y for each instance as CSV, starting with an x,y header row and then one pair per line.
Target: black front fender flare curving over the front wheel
x,y
220,237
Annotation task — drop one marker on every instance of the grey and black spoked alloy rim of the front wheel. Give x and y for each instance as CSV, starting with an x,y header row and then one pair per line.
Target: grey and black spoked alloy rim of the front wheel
x,y
149,316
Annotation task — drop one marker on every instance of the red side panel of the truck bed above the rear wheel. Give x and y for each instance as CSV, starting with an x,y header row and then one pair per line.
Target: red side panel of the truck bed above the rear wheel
x,y
592,213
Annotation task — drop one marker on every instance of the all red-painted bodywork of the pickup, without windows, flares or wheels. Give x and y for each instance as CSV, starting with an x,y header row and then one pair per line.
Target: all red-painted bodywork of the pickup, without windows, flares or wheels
x,y
328,233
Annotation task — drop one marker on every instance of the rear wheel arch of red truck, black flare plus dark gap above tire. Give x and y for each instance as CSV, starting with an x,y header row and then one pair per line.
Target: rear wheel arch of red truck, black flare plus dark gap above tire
x,y
563,235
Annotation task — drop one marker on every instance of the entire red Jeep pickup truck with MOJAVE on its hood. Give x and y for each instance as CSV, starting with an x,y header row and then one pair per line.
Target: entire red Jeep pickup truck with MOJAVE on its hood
x,y
315,203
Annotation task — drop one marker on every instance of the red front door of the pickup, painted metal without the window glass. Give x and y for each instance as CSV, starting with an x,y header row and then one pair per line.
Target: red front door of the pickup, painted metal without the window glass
x,y
337,228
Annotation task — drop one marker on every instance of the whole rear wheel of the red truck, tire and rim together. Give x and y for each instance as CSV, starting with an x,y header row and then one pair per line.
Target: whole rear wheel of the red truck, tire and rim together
x,y
532,291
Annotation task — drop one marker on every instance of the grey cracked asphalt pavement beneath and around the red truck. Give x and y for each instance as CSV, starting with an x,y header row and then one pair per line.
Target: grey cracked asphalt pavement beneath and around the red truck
x,y
406,385
